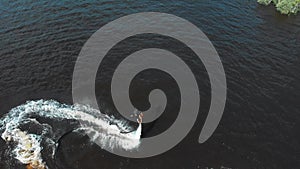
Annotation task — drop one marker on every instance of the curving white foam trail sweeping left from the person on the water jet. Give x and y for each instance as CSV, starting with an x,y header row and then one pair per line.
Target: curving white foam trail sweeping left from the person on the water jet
x,y
106,130
